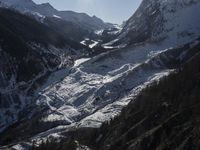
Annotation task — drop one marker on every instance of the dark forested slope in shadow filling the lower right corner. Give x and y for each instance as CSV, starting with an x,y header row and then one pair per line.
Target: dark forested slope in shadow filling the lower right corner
x,y
164,116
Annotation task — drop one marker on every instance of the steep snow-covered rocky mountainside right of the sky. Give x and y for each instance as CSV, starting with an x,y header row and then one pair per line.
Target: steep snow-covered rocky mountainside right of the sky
x,y
178,21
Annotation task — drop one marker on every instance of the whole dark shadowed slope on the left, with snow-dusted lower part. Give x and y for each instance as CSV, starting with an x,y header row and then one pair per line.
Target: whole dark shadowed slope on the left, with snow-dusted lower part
x,y
27,57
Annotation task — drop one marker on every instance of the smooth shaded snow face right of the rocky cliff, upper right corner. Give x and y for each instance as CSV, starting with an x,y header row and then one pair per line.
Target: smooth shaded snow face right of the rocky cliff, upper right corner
x,y
183,25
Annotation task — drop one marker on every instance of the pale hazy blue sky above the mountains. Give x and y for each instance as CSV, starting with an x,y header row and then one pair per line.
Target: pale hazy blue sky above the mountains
x,y
114,11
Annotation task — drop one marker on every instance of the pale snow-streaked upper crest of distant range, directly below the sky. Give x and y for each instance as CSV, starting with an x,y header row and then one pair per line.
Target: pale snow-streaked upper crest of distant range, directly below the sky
x,y
45,9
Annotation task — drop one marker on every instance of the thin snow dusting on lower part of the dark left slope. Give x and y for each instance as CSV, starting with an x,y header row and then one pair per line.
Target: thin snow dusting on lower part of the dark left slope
x,y
13,87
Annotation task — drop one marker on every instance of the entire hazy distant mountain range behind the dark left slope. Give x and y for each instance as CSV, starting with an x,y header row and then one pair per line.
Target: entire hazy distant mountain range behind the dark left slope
x,y
76,26
